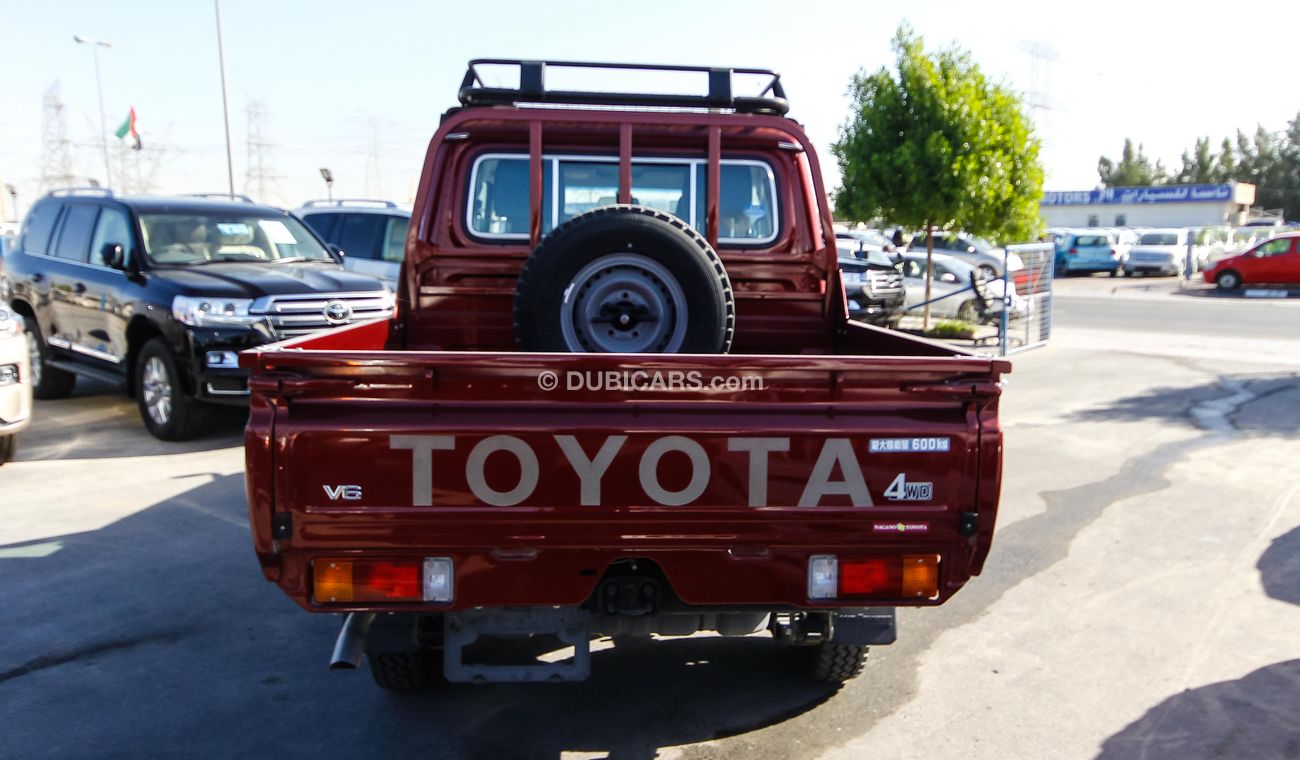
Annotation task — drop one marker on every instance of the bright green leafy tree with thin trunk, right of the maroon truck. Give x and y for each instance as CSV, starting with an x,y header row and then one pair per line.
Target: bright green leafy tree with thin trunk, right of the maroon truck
x,y
934,144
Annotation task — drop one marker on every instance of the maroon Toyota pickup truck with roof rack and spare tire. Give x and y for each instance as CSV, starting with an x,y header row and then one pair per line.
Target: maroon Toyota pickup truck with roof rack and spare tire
x,y
621,398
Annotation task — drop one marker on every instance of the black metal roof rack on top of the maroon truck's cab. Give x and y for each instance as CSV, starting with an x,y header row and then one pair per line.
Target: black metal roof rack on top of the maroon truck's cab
x,y
532,89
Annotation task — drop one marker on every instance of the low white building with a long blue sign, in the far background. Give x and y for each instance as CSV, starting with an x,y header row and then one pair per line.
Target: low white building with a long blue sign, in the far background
x,y
1171,206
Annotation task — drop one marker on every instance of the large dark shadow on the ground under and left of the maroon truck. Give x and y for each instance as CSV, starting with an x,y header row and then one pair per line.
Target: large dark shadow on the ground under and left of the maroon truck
x,y
158,636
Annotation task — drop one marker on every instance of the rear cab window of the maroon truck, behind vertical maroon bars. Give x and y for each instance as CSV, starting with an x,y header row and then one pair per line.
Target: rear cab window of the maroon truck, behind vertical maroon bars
x,y
499,203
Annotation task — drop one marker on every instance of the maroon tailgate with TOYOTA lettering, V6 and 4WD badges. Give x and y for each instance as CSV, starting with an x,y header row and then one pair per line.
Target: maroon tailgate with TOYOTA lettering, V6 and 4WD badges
x,y
535,472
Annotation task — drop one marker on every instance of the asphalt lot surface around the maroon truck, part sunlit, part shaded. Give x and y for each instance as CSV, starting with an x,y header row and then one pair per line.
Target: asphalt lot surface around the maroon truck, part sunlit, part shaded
x,y
1142,598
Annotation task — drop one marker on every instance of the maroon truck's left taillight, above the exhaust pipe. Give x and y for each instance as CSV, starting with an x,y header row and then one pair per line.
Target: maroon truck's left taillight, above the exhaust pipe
x,y
340,580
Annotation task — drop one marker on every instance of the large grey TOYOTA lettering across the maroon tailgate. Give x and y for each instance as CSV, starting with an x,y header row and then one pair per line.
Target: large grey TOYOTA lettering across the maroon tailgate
x,y
671,471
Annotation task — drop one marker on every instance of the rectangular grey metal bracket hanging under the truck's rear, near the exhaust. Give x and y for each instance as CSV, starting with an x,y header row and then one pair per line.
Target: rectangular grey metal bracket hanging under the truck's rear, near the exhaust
x,y
569,626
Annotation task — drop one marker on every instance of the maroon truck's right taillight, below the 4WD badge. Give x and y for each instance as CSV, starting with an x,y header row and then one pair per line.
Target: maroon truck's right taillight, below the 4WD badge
x,y
831,577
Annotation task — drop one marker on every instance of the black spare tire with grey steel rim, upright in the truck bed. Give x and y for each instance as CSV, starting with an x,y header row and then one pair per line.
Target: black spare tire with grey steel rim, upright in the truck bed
x,y
625,280
